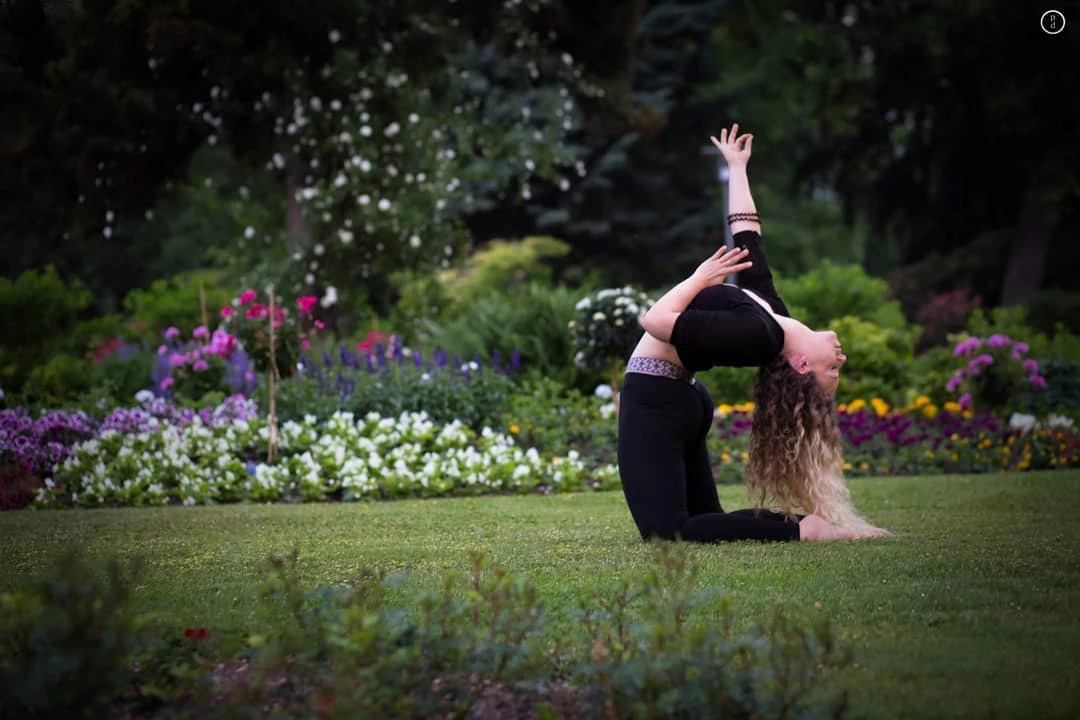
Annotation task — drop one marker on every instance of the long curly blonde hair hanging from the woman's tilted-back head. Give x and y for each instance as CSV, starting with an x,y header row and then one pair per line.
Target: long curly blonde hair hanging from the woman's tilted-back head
x,y
795,459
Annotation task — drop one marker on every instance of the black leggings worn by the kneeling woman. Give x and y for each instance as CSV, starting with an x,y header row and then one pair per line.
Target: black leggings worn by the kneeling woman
x,y
664,466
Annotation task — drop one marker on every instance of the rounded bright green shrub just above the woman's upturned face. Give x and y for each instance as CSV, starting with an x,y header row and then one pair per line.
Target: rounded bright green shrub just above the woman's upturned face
x,y
831,292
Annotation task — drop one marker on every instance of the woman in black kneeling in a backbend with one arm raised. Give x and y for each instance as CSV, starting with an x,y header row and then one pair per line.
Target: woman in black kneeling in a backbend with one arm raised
x,y
666,414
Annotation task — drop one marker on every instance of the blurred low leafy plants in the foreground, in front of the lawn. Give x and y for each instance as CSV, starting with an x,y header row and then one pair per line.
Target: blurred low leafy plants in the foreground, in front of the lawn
x,y
476,646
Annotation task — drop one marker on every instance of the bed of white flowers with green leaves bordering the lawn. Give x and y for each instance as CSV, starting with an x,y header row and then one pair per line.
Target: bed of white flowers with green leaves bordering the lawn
x,y
346,458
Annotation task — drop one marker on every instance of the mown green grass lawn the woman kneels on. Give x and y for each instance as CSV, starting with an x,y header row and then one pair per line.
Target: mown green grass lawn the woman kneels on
x,y
971,609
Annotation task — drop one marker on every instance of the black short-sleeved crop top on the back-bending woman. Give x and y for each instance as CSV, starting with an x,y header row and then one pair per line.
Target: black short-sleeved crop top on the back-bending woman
x,y
724,327
